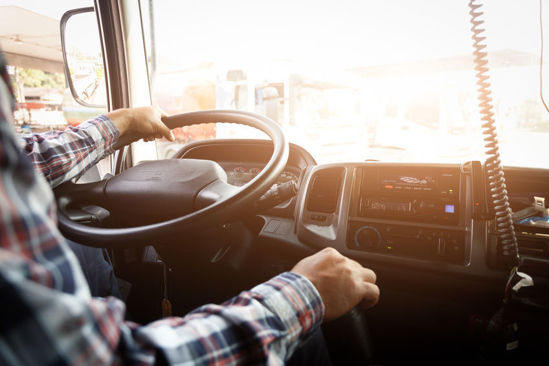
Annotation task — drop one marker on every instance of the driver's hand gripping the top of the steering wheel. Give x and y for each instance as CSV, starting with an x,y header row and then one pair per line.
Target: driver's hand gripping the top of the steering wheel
x,y
143,121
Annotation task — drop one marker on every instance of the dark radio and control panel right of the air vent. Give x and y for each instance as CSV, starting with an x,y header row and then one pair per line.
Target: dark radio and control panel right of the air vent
x,y
412,212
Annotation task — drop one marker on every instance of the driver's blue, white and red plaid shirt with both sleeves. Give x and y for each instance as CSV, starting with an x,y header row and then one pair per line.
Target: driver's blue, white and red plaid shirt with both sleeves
x,y
47,315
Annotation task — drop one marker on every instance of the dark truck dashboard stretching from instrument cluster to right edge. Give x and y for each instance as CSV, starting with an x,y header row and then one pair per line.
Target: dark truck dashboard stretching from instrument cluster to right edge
x,y
421,216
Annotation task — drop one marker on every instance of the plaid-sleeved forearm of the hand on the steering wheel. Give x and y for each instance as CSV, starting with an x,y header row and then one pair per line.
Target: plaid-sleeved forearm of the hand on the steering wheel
x,y
64,155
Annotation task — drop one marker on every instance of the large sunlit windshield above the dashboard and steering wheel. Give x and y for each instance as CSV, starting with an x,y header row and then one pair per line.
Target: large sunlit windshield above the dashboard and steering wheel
x,y
353,80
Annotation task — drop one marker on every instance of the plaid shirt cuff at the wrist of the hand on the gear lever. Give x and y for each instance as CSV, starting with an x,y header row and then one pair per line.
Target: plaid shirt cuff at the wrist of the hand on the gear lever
x,y
295,300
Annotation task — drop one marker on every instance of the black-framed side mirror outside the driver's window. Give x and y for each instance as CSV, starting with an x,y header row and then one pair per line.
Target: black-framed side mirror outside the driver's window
x,y
84,67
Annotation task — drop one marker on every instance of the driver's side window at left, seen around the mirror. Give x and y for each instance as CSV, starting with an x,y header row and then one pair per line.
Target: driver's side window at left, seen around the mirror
x,y
31,42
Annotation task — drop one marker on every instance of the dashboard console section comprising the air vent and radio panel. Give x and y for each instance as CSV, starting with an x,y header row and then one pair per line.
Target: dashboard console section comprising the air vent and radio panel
x,y
391,211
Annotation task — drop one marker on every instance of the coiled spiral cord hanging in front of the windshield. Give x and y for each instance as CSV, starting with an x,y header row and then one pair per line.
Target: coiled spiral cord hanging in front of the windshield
x,y
494,170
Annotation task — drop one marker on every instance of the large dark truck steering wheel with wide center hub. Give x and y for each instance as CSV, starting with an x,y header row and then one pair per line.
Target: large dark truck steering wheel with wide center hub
x,y
177,195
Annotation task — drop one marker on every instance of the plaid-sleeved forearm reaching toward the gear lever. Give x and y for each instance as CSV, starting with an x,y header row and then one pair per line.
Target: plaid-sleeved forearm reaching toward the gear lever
x,y
261,326
